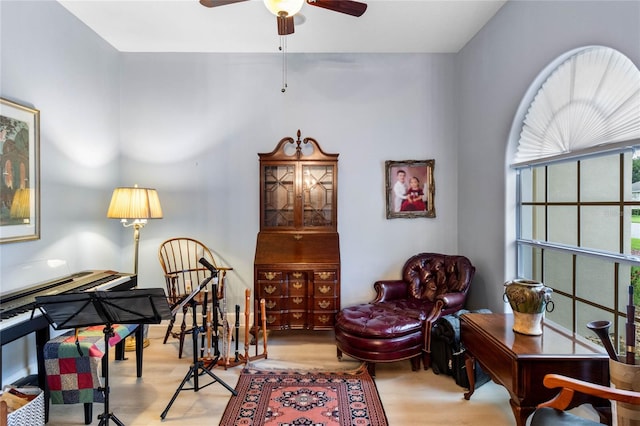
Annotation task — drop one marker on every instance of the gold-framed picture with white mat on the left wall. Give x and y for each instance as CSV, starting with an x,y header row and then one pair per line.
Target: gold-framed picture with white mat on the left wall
x,y
20,166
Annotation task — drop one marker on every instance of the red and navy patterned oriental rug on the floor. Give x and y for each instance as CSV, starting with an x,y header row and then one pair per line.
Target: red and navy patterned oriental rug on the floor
x,y
292,398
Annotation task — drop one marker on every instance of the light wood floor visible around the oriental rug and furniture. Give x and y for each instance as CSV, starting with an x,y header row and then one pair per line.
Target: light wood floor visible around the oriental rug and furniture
x,y
409,398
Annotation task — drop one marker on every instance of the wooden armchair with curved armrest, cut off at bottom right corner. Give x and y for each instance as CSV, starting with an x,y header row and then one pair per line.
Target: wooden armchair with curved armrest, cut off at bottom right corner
x,y
552,412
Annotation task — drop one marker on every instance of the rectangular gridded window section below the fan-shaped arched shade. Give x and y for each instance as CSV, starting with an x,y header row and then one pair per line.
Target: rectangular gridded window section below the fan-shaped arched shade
x,y
579,233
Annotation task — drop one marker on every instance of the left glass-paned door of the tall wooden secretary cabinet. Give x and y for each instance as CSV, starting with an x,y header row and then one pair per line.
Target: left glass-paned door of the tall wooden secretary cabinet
x,y
279,195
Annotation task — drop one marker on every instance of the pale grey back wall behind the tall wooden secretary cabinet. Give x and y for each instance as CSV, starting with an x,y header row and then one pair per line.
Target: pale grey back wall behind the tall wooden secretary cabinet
x,y
193,124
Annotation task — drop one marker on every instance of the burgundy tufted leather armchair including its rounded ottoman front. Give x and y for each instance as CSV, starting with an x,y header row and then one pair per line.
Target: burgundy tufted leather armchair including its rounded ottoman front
x,y
396,325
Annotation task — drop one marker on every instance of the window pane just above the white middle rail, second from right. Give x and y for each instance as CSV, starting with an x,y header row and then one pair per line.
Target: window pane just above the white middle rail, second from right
x,y
600,228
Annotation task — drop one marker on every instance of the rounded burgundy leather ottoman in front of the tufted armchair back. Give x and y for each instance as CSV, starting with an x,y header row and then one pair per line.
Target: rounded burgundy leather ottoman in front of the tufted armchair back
x,y
380,333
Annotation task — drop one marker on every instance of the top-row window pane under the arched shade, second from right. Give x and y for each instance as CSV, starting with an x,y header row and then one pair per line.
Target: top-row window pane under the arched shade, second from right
x,y
600,179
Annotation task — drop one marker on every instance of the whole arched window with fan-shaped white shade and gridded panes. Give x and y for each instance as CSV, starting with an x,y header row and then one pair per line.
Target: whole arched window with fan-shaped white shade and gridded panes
x,y
578,186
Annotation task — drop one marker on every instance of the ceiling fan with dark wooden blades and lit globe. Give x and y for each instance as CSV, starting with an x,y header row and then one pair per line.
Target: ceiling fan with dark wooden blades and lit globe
x,y
286,9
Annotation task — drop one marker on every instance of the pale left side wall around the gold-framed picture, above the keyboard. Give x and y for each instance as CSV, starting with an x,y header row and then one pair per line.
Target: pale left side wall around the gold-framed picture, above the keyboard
x,y
51,62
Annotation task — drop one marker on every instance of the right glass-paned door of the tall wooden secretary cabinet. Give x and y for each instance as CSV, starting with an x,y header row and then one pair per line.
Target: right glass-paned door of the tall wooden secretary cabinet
x,y
317,195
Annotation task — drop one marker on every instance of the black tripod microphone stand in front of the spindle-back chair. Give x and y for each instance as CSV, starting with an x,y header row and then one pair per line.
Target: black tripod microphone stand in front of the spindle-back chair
x,y
197,368
